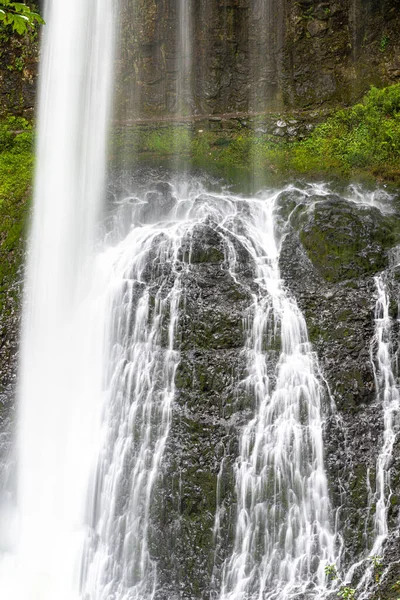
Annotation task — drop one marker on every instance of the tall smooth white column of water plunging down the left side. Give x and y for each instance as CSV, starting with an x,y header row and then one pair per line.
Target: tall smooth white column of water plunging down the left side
x,y
61,356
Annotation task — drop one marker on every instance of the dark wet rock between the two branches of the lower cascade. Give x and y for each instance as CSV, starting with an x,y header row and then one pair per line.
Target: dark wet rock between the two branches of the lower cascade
x,y
209,408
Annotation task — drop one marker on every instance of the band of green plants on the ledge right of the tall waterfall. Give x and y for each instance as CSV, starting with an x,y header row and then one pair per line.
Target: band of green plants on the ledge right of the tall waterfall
x,y
363,139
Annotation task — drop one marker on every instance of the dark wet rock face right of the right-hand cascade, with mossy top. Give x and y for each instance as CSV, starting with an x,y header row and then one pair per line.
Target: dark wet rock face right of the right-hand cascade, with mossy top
x,y
328,261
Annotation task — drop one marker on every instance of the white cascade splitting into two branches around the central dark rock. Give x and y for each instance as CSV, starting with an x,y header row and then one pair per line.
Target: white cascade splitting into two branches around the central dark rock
x,y
283,538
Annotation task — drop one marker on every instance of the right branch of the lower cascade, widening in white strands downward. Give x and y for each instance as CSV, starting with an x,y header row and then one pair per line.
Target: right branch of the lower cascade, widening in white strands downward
x,y
283,539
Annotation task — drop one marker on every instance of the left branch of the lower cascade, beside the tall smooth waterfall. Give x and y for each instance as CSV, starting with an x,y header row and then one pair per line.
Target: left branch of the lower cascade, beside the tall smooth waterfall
x,y
140,390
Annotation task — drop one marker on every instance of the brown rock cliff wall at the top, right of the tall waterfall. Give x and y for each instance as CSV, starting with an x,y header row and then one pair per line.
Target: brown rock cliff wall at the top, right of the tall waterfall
x,y
254,54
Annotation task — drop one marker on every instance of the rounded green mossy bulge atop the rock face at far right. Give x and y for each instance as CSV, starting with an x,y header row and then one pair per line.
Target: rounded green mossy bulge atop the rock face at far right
x,y
345,240
